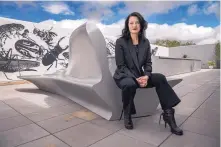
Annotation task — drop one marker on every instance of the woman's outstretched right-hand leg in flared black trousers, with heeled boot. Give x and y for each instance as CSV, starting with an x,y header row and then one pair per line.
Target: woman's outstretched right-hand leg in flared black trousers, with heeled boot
x,y
168,99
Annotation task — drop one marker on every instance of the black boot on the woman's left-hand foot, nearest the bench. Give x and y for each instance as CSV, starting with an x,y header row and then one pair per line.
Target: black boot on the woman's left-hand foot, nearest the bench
x,y
127,118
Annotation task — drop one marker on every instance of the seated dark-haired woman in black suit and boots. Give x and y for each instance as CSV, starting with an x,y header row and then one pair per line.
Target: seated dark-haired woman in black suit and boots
x,y
134,70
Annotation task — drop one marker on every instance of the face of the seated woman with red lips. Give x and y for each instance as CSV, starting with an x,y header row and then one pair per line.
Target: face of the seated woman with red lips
x,y
134,25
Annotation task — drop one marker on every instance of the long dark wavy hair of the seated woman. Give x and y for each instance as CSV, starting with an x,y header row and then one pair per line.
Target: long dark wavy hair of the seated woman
x,y
143,26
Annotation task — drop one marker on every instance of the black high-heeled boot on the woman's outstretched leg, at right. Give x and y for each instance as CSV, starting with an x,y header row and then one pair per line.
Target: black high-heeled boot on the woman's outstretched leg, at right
x,y
168,117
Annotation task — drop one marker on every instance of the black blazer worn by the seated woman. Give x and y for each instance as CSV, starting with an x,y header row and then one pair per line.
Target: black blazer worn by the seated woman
x,y
128,65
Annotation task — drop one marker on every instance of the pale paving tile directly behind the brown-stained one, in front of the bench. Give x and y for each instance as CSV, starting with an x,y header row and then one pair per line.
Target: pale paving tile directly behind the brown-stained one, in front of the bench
x,y
53,111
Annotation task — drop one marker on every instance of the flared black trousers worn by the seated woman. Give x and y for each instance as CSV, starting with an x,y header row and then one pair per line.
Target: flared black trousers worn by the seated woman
x,y
166,94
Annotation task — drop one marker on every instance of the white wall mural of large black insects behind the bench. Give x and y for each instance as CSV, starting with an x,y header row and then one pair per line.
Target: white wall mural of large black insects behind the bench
x,y
32,49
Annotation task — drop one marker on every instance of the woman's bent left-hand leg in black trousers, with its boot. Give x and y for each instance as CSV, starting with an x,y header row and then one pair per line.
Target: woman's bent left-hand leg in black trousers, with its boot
x,y
128,87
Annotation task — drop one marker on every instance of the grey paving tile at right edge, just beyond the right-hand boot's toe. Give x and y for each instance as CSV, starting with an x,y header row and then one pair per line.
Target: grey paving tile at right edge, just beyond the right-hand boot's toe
x,y
203,127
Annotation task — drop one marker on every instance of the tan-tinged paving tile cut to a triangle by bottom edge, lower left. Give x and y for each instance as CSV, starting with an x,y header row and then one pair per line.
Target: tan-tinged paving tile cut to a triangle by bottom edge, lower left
x,y
48,141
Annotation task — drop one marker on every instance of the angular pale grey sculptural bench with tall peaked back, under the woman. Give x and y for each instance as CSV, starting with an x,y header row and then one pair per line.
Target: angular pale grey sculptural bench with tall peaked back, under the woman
x,y
88,80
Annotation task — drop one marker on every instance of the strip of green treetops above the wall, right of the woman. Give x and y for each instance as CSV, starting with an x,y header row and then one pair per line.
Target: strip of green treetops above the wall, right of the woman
x,y
172,43
